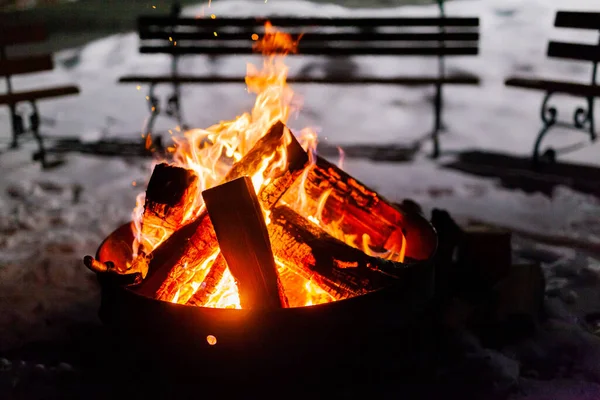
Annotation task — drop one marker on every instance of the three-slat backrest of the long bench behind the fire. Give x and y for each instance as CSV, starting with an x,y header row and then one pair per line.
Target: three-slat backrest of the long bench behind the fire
x,y
402,36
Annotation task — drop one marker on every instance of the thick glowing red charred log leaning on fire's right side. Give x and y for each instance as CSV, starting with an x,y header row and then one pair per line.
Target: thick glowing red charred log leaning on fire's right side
x,y
357,210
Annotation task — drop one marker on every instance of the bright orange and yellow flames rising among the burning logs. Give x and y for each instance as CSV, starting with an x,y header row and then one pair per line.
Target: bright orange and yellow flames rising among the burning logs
x,y
210,153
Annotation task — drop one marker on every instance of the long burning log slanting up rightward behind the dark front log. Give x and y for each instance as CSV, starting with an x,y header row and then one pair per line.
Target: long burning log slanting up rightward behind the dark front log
x,y
197,240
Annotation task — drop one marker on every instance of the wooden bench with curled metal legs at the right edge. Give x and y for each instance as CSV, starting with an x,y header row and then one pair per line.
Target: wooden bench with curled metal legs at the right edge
x,y
583,117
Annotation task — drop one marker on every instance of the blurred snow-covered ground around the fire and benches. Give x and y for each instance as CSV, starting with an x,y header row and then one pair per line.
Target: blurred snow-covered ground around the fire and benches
x,y
49,220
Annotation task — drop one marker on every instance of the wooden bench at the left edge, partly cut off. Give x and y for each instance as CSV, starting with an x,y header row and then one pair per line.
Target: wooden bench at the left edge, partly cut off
x,y
10,66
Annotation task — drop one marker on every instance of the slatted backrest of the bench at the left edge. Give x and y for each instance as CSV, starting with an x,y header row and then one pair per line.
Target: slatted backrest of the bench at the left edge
x,y
19,35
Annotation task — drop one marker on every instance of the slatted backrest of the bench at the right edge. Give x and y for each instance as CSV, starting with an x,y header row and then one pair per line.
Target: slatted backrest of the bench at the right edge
x,y
577,51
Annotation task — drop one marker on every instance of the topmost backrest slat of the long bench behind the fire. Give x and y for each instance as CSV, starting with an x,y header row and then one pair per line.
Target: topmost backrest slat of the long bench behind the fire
x,y
147,20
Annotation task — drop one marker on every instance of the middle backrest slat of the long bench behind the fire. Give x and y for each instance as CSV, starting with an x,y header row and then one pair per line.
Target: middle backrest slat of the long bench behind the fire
x,y
315,37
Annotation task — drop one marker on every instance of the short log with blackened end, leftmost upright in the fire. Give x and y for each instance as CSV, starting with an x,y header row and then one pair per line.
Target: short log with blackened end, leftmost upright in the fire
x,y
166,201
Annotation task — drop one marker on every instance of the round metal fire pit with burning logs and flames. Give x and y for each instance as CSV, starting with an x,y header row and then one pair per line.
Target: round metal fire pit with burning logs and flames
x,y
247,249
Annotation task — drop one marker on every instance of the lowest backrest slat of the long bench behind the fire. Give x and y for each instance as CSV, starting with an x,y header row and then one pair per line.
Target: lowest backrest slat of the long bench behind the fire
x,y
322,50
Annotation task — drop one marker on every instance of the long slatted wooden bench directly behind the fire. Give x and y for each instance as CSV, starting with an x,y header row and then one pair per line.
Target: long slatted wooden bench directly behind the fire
x,y
437,37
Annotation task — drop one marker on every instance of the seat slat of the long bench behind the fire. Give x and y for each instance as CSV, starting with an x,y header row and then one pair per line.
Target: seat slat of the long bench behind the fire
x,y
416,80
